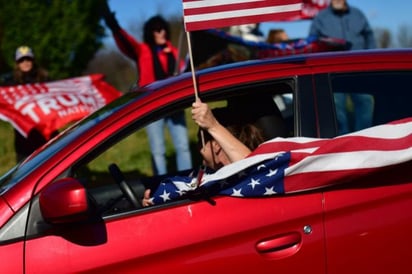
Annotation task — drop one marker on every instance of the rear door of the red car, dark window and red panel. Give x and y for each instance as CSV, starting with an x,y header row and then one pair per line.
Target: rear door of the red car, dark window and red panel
x,y
367,221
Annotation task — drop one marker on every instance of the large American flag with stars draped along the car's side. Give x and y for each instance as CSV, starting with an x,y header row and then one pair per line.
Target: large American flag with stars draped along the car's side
x,y
288,165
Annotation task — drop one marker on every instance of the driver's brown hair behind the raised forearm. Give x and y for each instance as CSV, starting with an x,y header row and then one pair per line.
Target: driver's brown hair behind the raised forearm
x,y
247,133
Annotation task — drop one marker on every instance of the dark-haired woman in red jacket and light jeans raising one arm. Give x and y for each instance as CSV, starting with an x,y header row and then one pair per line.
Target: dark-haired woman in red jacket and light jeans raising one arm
x,y
156,59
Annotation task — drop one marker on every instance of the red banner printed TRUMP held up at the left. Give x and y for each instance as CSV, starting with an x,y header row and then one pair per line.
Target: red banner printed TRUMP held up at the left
x,y
50,106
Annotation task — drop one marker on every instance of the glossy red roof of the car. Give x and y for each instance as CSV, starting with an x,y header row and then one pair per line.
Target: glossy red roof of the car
x,y
289,66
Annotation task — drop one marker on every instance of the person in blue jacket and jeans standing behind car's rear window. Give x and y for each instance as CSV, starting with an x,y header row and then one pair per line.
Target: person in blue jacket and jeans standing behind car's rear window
x,y
340,20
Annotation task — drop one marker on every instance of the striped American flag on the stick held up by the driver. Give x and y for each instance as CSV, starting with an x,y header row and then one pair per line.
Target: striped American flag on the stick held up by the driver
x,y
207,14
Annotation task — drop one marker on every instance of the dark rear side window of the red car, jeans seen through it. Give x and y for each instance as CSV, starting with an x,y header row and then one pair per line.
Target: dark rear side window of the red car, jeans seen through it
x,y
363,100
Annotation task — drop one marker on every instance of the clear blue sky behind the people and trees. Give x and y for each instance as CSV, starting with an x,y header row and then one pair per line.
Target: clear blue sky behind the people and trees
x,y
380,13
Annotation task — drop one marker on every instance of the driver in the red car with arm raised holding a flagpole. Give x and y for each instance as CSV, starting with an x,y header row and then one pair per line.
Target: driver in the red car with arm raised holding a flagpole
x,y
222,139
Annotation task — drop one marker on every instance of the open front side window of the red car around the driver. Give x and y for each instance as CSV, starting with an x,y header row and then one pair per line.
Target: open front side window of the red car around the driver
x,y
269,106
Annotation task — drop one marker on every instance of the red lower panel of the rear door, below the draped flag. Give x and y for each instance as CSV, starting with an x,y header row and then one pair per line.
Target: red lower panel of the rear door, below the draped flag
x,y
367,226
